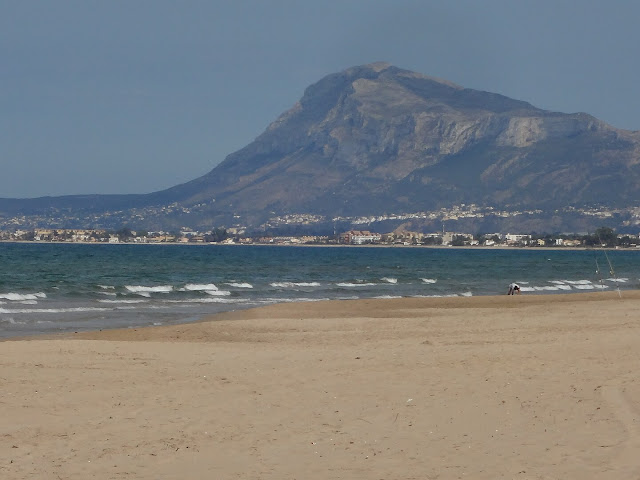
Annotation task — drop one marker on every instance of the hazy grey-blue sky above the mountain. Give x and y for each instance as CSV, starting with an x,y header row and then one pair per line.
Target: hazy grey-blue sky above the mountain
x,y
128,96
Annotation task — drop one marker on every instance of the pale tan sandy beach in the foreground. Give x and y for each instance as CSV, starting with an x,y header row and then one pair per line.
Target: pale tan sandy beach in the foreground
x,y
523,387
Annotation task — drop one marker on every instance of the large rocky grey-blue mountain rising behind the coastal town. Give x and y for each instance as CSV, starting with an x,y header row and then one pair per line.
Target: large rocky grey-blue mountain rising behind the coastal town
x,y
396,147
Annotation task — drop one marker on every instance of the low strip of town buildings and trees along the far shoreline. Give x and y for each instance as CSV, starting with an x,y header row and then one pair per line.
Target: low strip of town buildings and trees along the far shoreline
x,y
602,237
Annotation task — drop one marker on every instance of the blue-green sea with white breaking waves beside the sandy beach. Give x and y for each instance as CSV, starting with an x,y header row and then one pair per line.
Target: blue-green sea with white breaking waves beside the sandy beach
x,y
48,288
